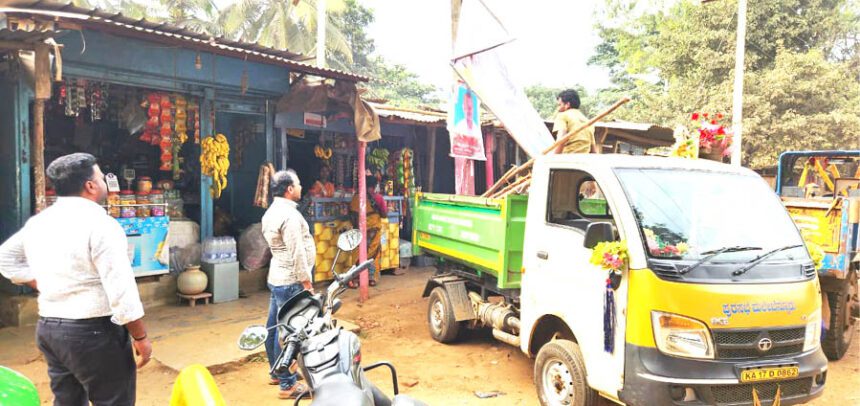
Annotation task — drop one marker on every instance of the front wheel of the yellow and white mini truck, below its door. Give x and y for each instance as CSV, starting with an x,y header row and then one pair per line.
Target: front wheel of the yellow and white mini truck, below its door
x,y
560,376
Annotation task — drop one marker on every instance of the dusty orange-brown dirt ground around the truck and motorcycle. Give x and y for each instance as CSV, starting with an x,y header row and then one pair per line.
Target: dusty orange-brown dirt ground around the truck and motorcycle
x,y
393,329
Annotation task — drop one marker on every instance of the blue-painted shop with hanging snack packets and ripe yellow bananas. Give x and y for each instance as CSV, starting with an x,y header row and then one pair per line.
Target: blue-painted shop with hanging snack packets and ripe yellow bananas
x,y
143,98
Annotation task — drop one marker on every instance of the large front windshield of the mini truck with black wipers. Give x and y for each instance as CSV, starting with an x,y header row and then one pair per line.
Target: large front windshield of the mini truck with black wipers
x,y
688,215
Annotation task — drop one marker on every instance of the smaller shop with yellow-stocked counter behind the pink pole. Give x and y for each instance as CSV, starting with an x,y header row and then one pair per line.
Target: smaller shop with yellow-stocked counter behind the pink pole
x,y
324,153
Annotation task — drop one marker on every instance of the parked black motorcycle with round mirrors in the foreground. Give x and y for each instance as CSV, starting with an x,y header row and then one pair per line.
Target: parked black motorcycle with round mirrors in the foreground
x,y
329,357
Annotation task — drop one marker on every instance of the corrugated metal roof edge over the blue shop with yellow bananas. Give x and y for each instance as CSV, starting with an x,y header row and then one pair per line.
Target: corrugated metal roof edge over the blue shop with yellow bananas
x,y
163,32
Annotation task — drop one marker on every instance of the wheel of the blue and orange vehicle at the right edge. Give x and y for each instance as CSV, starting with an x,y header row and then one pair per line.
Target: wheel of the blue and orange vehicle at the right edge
x,y
842,323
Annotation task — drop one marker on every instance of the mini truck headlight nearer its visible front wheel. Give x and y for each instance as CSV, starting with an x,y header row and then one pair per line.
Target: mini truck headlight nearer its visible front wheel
x,y
681,336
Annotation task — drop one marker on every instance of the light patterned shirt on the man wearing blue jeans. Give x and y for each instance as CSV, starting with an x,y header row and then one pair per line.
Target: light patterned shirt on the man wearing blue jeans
x,y
293,249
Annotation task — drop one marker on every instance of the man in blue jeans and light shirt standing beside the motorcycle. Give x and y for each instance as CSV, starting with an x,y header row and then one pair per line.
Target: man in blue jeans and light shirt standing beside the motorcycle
x,y
293,256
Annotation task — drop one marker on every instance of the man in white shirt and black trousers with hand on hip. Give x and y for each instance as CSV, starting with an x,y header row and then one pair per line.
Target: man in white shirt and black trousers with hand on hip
x,y
76,256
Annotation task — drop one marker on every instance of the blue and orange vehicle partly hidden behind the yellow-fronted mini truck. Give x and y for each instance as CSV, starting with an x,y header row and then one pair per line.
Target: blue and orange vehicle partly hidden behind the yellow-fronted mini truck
x,y
820,191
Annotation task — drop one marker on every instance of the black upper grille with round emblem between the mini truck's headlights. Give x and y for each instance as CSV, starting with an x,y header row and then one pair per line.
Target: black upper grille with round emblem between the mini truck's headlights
x,y
741,344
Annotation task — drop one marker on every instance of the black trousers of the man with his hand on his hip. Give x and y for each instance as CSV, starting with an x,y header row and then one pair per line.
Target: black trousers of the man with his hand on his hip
x,y
88,361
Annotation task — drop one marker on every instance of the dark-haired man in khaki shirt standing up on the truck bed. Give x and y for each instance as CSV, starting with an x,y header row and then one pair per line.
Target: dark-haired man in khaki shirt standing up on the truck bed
x,y
568,119
